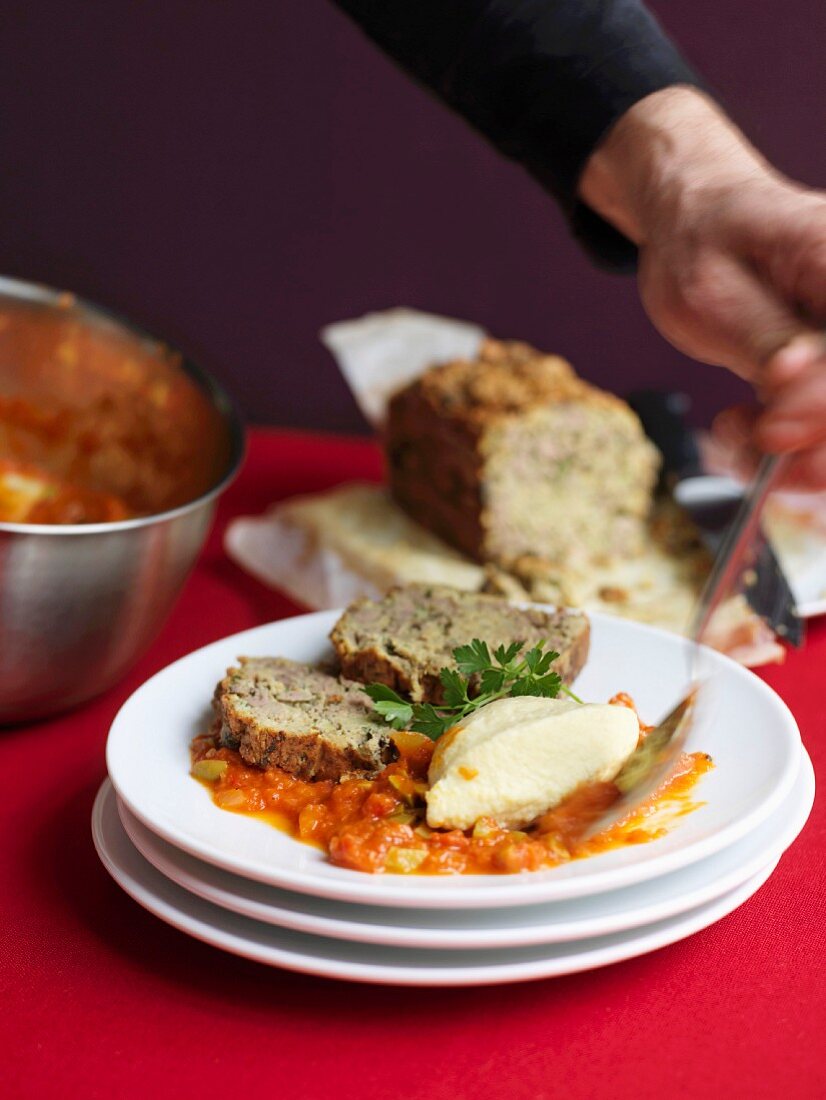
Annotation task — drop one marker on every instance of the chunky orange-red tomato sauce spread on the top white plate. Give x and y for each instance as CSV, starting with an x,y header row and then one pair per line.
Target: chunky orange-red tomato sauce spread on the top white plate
x,y
380,824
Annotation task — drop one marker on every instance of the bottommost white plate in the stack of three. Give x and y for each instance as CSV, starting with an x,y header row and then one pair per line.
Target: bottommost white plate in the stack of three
x,y
371,963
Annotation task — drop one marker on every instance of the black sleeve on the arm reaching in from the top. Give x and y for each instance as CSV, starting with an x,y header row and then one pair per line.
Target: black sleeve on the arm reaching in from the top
x,y
543,80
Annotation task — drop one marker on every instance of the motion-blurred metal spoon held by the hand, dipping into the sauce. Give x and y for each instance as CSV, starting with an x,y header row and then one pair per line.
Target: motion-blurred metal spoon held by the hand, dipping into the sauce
x,y
655,758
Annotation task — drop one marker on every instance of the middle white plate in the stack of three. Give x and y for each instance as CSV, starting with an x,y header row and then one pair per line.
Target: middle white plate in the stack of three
x,y
549,923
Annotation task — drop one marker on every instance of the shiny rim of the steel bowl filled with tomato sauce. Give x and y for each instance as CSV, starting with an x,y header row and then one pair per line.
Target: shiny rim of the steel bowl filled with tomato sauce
x,y
26,291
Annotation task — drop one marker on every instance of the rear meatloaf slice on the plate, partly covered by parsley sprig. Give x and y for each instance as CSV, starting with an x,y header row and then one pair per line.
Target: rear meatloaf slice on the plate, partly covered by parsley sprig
x,y
409,636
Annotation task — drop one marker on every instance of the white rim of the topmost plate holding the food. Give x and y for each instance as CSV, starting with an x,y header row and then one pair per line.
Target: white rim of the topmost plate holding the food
x,y
366,889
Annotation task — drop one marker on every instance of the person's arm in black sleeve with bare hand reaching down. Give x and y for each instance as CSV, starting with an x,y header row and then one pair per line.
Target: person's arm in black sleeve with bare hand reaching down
x,y
597,103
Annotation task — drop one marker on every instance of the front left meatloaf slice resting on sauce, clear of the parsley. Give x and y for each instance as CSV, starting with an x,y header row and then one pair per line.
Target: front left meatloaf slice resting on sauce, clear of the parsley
x,y
279,713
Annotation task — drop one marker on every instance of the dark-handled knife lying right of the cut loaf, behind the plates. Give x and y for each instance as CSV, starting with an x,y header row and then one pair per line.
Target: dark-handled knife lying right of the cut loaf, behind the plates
x,y
713,503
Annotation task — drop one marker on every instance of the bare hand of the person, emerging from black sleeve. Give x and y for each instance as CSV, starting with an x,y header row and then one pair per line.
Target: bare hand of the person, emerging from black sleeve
x,y
733,262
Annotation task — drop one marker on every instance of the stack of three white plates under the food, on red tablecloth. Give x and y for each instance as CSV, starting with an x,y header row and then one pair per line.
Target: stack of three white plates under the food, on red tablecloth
x,y
244,886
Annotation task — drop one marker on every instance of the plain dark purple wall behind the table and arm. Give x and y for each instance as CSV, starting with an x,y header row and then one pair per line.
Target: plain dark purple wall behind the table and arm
x,y
235,175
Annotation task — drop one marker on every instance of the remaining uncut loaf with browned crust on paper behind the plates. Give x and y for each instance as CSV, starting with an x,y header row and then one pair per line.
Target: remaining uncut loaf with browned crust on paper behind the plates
x,y
513,455
